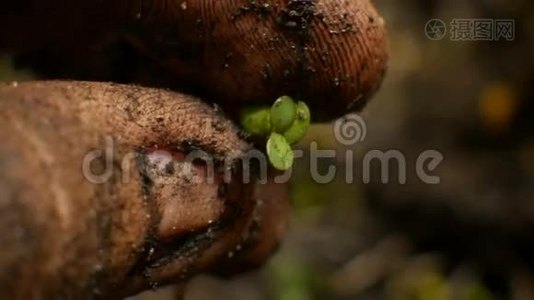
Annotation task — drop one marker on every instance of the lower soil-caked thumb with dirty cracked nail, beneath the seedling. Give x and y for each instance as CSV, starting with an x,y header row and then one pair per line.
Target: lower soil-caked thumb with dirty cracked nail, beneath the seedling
x,y
66,237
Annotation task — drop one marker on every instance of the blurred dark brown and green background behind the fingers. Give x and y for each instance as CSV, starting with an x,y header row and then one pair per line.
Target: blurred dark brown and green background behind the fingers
x,y
469,237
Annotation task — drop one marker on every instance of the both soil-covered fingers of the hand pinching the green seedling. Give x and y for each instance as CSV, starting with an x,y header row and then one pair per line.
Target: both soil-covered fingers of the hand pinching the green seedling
x,y
81,239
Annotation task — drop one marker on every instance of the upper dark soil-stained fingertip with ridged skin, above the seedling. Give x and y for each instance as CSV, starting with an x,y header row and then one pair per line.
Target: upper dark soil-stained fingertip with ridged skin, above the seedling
x,y
331,54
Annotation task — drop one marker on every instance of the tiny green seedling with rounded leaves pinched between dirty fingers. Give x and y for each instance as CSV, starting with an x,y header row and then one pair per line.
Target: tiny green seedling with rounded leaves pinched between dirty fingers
x,y
284,123
